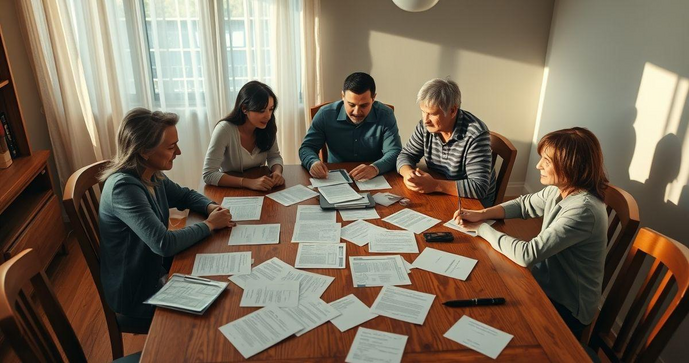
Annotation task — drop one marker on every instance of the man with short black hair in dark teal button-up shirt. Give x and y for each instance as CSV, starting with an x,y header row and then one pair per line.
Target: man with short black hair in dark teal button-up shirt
x,y
358,128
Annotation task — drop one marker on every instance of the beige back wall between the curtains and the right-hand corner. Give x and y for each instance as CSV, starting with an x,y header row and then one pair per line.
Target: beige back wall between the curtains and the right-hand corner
x,y
494,49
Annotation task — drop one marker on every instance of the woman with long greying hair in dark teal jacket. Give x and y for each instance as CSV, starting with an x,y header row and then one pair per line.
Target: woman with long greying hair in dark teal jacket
x,y
136,244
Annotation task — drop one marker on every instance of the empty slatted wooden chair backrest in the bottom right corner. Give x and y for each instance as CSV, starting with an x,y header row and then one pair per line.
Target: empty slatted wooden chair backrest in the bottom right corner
x,y
644,341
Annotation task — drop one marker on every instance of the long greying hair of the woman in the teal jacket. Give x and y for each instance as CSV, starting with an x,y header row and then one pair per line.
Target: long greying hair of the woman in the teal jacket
x,y
141,131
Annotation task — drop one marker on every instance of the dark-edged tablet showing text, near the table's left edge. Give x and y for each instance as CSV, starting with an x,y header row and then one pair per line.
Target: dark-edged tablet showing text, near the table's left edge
x,y
188,293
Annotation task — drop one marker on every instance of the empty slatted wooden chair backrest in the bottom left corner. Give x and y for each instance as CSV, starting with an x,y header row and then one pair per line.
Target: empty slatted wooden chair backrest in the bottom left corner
x,y
21,322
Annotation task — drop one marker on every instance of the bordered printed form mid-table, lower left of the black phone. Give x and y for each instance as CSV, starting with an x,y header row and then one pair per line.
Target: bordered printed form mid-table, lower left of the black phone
x,y
378,271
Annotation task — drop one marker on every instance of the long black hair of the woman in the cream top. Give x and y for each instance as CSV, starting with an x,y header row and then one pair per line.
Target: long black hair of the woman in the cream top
x,y
254,96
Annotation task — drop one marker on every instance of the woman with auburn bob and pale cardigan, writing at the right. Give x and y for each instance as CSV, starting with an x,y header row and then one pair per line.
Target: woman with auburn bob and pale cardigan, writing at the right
x,y
567,257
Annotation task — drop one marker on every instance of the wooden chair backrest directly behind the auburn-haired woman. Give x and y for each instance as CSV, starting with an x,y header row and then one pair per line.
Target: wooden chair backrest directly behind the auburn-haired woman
x,y
623,224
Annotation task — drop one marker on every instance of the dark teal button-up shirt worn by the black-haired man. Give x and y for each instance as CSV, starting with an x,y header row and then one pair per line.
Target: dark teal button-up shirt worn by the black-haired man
x,y
375,139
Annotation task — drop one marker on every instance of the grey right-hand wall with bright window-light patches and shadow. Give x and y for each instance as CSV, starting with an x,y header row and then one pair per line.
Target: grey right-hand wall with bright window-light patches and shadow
x,y
621,69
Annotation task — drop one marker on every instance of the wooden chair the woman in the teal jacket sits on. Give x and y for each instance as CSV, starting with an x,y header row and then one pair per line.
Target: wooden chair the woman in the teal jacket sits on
x,y
81,201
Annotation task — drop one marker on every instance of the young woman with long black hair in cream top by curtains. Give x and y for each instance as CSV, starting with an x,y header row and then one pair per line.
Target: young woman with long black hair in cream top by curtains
x,y
244,139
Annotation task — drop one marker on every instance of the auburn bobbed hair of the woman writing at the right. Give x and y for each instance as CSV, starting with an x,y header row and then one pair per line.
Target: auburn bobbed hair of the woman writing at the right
x,y
577,159
